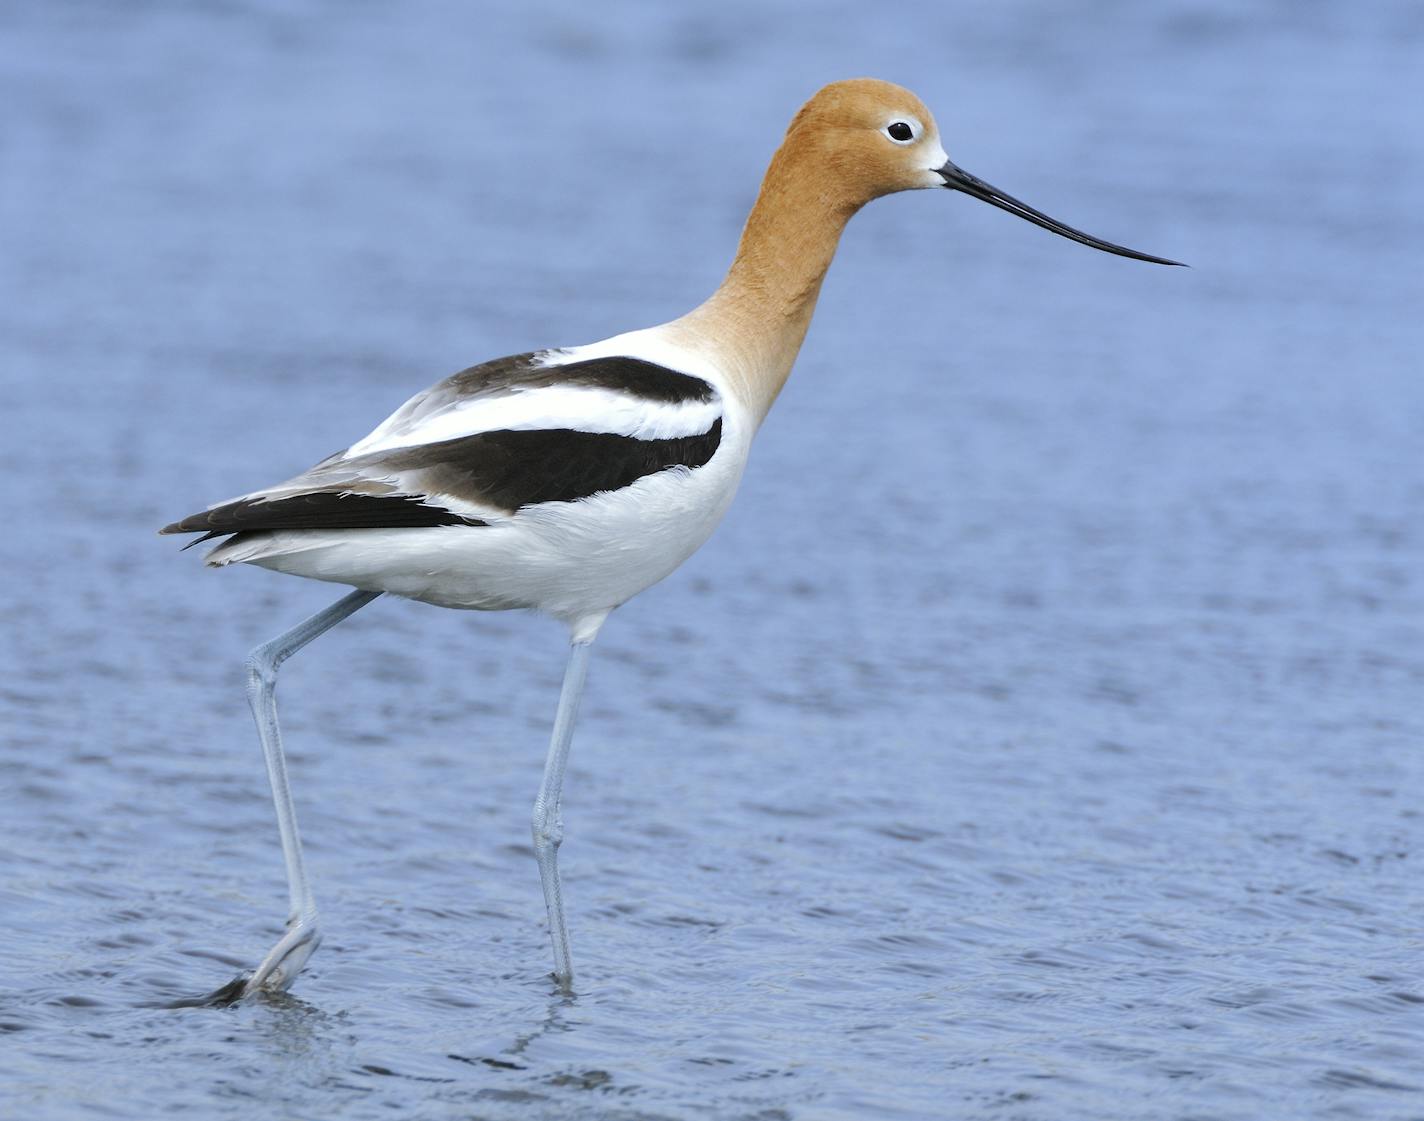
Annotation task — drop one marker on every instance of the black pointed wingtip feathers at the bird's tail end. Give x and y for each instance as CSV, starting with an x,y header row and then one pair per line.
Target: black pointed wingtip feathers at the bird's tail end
x,y
320,511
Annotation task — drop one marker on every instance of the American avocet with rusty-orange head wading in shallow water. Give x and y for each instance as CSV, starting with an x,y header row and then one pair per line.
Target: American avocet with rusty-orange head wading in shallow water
x,y
569,481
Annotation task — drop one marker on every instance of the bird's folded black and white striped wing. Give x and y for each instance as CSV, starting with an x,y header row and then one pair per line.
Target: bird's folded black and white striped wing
x,y
492,441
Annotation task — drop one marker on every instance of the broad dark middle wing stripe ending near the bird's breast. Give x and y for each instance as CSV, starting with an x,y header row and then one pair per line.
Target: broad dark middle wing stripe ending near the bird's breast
x,y
512,469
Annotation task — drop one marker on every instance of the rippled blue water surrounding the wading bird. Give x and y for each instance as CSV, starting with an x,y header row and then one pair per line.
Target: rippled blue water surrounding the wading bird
x,y
1039,739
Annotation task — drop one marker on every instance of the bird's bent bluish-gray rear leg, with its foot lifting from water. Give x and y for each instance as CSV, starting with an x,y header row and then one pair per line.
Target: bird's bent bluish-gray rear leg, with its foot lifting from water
x,y
286,961
